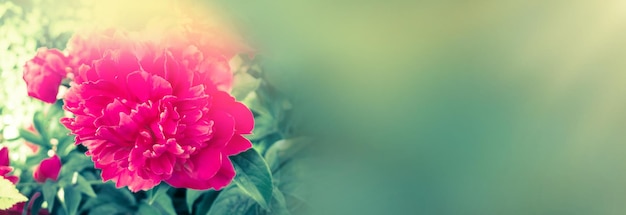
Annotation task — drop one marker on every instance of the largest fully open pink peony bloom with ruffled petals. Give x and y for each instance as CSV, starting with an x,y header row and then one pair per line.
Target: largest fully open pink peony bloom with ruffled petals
x,y
145,116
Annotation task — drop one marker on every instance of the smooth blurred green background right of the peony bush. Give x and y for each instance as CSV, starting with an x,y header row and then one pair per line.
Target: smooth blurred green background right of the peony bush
x,y
448,107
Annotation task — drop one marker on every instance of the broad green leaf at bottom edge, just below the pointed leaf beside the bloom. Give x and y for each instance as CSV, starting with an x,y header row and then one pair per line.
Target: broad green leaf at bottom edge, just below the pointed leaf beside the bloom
x,y
231,201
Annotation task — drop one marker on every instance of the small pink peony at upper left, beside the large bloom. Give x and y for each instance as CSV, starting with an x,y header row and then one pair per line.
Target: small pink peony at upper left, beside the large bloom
x,y
44,73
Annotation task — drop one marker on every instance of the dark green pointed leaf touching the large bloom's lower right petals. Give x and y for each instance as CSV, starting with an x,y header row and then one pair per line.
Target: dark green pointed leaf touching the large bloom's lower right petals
x,y
253,176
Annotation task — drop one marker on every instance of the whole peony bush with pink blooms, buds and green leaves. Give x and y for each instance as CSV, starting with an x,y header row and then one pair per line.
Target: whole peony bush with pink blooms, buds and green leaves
x,y
182,122
